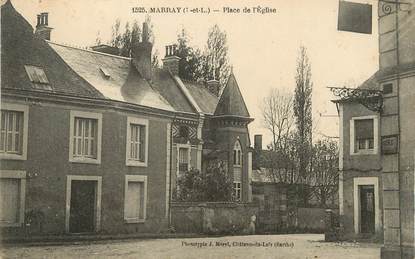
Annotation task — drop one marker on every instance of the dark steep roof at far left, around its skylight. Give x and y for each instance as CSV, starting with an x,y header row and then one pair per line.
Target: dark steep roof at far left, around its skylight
x,y
19,47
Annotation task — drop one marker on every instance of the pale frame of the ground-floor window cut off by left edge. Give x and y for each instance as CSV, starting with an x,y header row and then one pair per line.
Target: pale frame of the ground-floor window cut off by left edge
x,y
16,174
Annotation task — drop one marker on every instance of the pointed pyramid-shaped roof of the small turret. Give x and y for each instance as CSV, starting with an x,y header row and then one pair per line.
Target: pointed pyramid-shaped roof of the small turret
x,y
231,102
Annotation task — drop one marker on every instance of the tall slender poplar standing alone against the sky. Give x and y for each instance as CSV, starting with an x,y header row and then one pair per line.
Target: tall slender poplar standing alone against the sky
x,y
303,112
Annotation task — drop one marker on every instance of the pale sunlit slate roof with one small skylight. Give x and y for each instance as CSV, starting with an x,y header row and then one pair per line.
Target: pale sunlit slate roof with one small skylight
x,y
113,76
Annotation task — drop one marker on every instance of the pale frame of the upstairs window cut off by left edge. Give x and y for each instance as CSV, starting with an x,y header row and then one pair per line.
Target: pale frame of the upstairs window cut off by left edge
x,y
25,110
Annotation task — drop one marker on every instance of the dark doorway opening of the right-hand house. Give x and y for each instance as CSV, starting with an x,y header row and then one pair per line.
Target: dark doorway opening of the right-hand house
x,y
367,209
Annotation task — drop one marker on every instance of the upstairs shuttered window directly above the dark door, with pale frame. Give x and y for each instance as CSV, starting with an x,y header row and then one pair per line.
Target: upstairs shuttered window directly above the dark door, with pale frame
x,y
85,140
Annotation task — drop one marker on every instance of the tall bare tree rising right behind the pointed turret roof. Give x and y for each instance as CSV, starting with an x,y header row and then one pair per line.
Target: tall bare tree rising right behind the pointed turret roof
x,y
216,59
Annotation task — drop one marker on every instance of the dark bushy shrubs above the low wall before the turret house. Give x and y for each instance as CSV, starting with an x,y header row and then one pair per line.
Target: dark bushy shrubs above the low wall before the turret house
x,y
212,185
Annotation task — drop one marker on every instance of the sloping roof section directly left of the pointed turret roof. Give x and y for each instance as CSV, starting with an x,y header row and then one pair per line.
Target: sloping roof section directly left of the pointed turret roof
x,y
204,99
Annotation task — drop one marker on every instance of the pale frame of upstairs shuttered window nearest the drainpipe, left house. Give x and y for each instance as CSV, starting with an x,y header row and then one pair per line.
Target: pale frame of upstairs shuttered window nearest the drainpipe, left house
x,y
129,161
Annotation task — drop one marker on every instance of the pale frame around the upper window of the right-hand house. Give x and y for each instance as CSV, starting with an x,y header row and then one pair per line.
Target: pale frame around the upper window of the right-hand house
x,y
375,136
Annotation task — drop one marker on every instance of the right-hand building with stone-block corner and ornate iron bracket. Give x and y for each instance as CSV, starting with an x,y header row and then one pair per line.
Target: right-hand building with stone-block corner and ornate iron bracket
x,y
377,142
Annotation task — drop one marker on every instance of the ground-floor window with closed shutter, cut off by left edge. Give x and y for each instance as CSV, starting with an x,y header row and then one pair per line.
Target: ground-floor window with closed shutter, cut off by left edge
x,y
12,197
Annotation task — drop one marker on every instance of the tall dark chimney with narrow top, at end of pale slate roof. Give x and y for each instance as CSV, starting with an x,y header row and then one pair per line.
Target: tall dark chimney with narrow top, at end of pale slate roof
x,y
141,54
